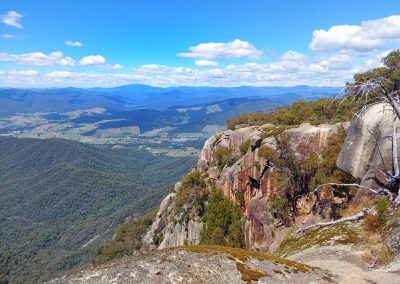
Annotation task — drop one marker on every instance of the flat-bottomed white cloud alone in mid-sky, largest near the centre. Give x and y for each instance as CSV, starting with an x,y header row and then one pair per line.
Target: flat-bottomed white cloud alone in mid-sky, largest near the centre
x,y
215,50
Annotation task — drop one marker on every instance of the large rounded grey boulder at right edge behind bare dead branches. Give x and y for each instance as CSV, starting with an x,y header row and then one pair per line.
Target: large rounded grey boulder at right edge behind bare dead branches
x,y
368,146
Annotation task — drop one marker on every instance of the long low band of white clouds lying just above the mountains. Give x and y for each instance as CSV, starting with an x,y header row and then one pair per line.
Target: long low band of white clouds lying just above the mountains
x,y
291,69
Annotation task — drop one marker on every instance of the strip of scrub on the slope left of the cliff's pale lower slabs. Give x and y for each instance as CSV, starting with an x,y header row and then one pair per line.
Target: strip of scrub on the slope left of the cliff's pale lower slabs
x,y
127,239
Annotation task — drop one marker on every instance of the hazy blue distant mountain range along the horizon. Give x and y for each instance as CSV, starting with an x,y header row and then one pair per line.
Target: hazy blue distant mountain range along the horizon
x,y
141,96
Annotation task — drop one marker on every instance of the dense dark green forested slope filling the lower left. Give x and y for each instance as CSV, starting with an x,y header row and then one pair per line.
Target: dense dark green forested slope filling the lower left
x,y
57,195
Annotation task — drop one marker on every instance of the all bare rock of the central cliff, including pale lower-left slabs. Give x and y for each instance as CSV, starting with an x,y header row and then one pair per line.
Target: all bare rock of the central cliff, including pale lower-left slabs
x,y
246,181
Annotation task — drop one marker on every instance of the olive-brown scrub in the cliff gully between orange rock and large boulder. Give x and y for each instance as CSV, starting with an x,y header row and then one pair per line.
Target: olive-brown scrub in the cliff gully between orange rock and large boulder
x,y
299,175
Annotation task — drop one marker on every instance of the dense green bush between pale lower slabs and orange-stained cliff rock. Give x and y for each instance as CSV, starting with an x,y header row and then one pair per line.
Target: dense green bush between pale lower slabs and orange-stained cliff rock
x,y
224,224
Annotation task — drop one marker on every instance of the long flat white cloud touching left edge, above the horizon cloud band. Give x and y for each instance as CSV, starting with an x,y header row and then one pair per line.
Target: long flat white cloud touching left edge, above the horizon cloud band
x,y
37,58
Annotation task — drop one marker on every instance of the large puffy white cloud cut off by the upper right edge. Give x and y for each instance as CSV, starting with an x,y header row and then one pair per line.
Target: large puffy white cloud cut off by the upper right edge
x,y
369,36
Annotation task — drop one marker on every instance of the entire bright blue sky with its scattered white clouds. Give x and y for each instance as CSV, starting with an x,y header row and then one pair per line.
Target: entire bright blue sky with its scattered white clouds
x,y
191,42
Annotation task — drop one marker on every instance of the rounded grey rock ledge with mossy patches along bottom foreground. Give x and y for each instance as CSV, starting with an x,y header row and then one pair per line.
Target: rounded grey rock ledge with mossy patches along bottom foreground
x,y
201,264
